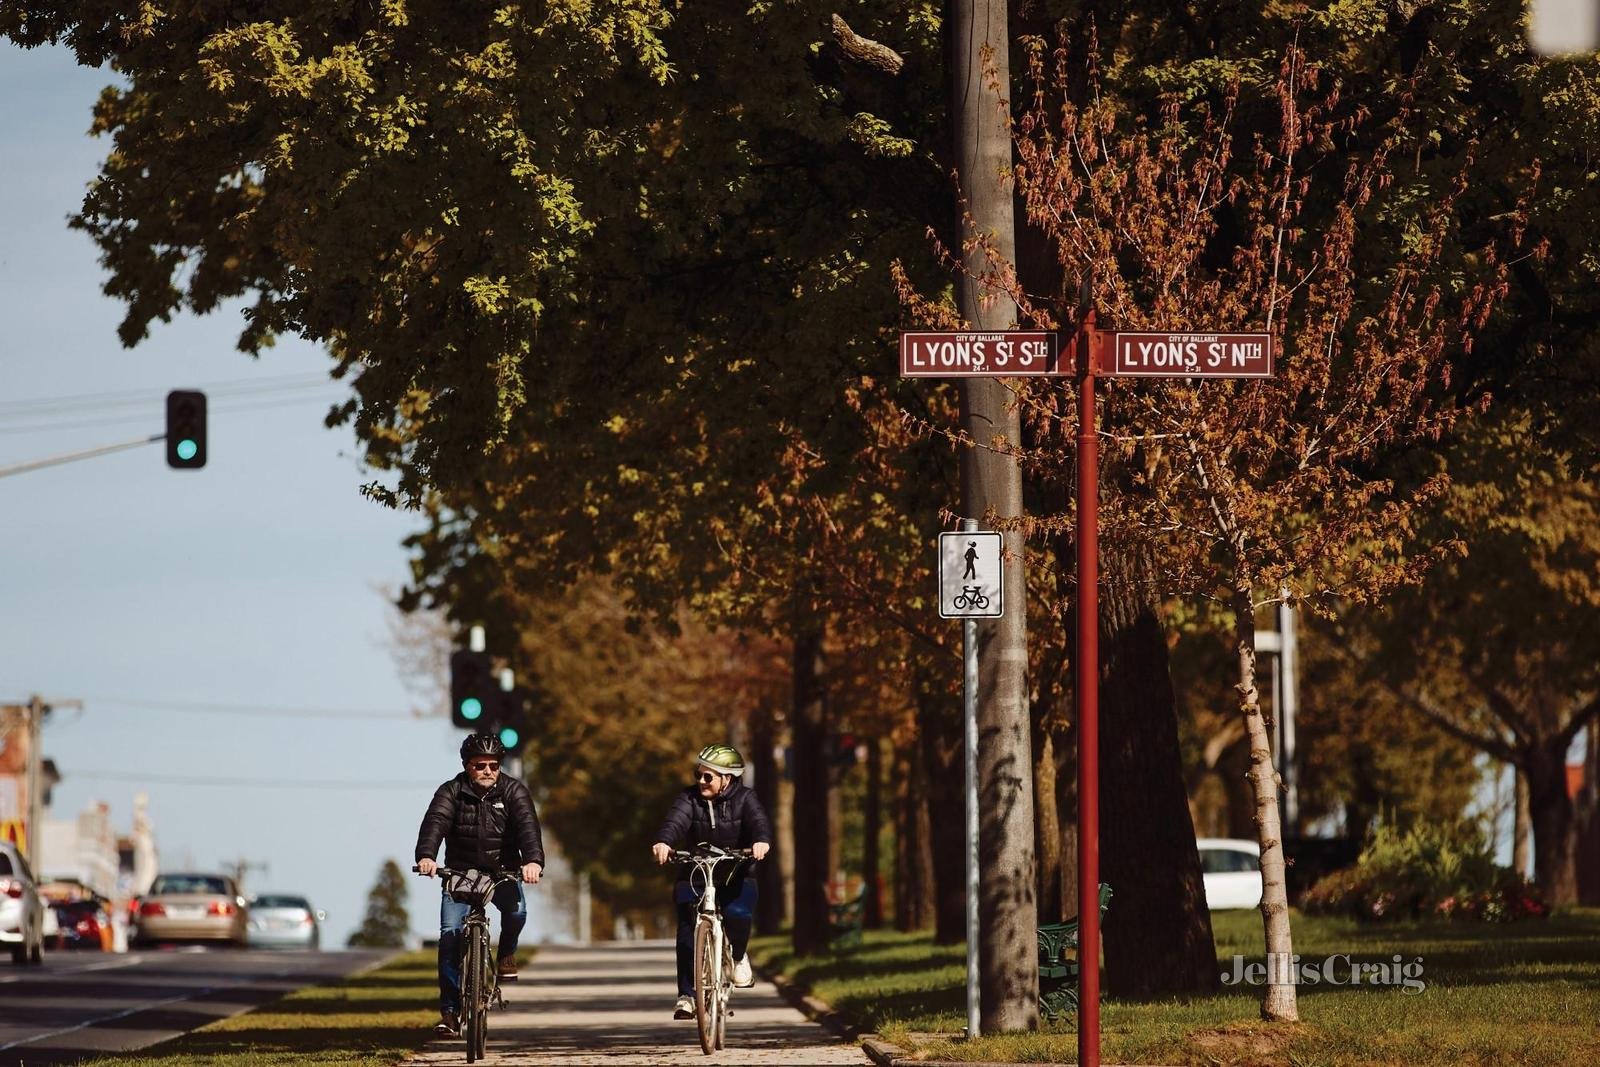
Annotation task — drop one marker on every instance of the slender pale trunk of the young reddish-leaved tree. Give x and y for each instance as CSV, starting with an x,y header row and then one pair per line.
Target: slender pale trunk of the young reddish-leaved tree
x,y
1279,1004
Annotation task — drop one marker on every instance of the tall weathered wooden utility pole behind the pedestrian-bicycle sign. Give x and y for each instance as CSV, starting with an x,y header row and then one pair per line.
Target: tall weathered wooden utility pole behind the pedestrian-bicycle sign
x,y
993,487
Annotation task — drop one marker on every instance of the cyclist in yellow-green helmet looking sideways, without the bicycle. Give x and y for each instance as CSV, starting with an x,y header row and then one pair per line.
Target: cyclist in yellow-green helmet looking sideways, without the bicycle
x,y
724,812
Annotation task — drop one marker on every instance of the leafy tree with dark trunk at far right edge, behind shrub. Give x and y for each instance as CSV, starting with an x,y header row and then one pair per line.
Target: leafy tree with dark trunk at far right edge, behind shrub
x,y
1500,647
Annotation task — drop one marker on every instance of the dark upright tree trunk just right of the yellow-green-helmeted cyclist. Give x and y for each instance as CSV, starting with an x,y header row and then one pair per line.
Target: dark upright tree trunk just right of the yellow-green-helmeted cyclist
x,y
809,729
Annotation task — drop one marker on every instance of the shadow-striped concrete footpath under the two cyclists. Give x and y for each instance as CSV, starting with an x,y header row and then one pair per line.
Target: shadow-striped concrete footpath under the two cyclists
x,y
612,1004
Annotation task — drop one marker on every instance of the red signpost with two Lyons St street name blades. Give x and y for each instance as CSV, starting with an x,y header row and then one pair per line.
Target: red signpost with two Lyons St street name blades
x,y
1097,354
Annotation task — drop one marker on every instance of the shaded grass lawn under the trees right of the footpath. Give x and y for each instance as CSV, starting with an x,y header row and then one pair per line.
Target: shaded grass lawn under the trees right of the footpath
x,y
1524,994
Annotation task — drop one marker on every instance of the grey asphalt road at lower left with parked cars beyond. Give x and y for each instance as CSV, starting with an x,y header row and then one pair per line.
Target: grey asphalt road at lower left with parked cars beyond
x,y
90,1004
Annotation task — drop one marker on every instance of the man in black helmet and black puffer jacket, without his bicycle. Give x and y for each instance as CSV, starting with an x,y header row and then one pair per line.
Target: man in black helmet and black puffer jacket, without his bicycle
x,y
487,823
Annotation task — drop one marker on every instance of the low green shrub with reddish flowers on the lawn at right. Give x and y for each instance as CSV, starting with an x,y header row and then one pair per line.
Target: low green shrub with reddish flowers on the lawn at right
x,y
1423,871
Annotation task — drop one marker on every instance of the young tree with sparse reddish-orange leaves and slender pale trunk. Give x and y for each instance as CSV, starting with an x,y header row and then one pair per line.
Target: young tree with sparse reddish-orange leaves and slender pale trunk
x,y
1260,490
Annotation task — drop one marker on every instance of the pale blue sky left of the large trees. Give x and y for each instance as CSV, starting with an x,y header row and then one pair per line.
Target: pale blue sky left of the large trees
x,y
180,604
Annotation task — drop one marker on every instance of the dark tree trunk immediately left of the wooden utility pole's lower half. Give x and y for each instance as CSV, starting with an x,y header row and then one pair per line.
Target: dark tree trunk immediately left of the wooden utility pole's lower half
x,y
940,737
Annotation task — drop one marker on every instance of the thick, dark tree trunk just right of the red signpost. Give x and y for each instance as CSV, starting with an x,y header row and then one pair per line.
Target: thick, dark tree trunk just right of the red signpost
x,y
1148,841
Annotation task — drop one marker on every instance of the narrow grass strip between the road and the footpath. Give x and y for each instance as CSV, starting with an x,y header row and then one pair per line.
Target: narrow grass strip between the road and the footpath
x,y
372,1020
